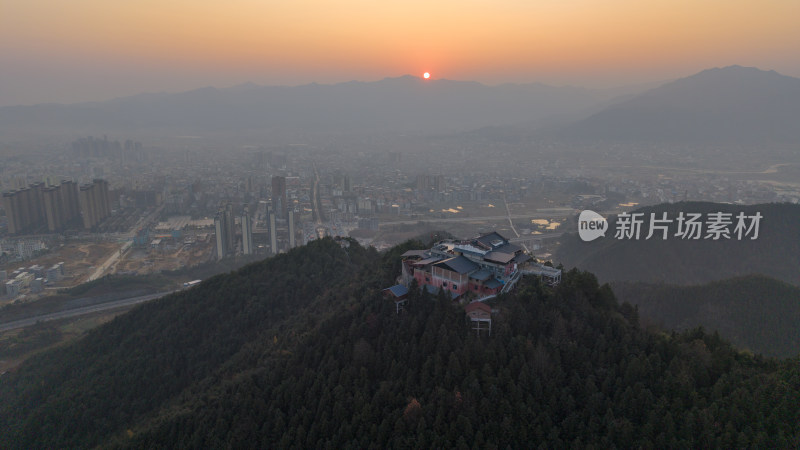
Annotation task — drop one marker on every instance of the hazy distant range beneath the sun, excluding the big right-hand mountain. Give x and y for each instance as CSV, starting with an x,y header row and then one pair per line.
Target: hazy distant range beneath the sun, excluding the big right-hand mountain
x,y
404,104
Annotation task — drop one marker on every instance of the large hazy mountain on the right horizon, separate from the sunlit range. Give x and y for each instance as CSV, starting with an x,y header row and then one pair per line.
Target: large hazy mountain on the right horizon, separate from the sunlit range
x,y
731,104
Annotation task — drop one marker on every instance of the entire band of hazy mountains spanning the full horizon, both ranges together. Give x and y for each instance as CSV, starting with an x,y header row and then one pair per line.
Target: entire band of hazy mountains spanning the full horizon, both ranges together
x,y
731,104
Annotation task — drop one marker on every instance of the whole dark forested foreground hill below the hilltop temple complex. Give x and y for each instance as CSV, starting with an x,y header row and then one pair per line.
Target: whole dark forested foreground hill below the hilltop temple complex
x,y
302,350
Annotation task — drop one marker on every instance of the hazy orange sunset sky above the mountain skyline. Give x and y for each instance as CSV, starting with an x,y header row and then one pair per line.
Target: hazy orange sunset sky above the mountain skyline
x,y
76,50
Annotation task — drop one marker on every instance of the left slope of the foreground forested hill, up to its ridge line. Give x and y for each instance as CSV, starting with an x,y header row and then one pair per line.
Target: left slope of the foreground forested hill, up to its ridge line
x,y
130,368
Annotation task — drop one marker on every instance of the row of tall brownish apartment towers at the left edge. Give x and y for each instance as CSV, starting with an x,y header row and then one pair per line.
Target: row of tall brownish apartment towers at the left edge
x,y
32,208
